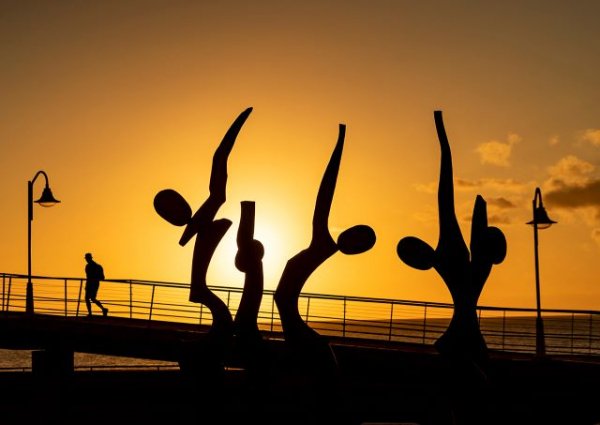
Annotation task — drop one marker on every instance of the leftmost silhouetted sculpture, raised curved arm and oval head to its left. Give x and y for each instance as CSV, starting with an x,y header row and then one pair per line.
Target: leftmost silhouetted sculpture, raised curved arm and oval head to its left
x,y
171,206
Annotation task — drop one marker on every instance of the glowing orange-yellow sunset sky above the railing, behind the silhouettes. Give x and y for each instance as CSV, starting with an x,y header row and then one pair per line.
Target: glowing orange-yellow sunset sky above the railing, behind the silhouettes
x,y
117,100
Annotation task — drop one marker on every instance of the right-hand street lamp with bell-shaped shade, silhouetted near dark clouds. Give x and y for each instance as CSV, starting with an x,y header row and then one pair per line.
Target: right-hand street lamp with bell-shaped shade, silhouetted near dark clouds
x,y
540,221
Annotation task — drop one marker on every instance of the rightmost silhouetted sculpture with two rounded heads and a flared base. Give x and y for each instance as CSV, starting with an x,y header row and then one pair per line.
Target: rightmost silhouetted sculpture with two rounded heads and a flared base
x,y
464,273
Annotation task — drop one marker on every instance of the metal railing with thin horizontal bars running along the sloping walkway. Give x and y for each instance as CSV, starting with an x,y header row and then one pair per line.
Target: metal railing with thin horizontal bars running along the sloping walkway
x,y
567,332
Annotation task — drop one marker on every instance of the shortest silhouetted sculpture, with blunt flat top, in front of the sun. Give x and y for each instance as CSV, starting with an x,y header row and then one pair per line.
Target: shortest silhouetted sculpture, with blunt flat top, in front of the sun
x,y
249,261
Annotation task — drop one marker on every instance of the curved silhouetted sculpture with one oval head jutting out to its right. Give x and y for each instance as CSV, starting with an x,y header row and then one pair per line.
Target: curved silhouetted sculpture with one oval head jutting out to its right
x,y
308,348
